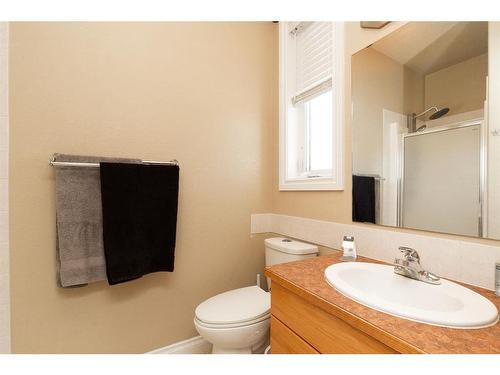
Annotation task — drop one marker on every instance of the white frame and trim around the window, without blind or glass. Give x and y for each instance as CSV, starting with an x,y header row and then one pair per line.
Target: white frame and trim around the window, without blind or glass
x,y
286,69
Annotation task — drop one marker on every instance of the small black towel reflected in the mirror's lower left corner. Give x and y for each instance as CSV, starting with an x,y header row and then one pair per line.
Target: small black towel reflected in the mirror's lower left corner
x,y
363,199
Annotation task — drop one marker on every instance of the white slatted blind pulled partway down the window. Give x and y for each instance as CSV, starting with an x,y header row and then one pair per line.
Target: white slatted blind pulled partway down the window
x,y
314,56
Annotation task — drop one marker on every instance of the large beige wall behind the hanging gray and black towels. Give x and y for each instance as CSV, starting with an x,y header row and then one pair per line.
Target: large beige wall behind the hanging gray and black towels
x,y
201,93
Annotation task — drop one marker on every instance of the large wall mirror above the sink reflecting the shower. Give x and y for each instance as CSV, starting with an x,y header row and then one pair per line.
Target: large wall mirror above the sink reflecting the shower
x,y
421,139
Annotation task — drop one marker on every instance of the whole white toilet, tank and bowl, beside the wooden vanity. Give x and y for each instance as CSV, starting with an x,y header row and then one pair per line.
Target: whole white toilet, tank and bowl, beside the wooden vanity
x,y
237,321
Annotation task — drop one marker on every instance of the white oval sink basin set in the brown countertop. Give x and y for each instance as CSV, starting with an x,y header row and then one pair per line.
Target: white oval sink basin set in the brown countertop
x,y
378,287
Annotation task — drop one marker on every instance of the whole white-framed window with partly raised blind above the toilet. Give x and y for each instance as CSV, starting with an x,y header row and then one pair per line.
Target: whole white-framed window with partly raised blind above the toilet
x,y
311,113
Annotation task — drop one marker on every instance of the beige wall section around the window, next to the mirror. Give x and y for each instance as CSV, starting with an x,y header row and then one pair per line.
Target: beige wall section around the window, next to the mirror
x,y
336,205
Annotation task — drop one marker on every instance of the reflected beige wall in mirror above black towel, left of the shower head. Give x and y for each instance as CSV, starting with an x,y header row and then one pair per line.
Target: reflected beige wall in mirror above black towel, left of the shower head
x,y
378,83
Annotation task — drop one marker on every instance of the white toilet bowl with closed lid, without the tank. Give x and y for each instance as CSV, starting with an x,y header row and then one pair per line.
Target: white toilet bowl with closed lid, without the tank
x,y
236,321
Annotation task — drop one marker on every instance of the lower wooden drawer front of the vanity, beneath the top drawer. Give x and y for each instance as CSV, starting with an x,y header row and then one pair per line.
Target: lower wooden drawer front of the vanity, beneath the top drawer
x,y
284,341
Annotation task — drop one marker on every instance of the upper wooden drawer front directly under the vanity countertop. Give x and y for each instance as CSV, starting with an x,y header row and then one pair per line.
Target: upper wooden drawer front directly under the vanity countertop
x,y
323,331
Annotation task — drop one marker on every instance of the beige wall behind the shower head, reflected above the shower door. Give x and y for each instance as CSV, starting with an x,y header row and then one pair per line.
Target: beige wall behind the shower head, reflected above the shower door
x,y
461,87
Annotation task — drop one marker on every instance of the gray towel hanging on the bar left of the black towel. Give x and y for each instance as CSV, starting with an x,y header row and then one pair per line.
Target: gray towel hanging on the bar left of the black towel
x,y
79,245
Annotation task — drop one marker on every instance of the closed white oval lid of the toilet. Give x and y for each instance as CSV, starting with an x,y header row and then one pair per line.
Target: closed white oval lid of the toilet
x,y
235,306
